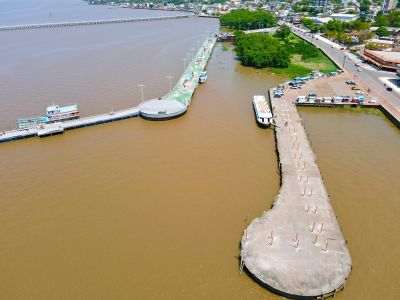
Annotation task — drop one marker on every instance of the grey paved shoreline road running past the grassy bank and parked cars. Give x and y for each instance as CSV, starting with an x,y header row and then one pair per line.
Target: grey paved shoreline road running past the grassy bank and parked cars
x,y
371,77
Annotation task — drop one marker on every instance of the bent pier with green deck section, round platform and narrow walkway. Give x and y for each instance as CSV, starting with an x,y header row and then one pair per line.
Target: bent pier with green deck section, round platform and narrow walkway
x,y
171,105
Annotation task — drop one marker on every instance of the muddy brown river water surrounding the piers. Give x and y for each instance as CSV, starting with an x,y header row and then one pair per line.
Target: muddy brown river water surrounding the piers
x,y
155,210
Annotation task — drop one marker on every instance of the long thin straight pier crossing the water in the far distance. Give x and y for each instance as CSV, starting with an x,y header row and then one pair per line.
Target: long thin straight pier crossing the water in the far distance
x,y
86,23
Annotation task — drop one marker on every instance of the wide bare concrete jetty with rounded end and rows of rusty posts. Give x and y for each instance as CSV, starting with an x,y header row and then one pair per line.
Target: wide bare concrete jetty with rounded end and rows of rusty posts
x,y
296,249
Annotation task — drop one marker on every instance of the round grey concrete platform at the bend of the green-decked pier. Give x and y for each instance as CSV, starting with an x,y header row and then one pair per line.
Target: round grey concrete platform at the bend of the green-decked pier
x,y
161,109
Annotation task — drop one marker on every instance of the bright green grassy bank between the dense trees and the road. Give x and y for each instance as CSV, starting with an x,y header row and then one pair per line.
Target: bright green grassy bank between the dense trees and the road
x,y
300,66
